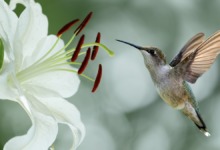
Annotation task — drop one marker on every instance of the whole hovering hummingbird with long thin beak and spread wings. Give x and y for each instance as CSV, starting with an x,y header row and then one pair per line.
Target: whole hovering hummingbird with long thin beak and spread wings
x,y
171,80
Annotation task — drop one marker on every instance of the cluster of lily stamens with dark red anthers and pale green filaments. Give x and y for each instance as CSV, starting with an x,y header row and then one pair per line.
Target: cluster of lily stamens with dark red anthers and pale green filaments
x,y
62,57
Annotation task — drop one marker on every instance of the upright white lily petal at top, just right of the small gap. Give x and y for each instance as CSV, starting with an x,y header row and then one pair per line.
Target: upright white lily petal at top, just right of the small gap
x,y
32,27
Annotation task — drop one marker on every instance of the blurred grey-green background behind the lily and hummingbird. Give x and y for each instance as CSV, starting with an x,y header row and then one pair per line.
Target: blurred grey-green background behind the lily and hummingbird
x,y
126,113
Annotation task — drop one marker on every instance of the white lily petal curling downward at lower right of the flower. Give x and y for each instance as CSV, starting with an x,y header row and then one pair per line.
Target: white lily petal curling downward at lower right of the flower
x,y
65,113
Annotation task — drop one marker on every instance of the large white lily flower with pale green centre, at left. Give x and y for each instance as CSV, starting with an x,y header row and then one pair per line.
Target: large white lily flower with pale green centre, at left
x,y
36,74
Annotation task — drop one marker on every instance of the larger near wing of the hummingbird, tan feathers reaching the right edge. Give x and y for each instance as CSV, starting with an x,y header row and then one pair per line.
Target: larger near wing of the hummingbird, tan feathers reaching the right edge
x,y
195,64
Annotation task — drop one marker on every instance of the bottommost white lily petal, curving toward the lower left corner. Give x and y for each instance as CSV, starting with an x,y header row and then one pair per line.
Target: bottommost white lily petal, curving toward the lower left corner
x,y
40,136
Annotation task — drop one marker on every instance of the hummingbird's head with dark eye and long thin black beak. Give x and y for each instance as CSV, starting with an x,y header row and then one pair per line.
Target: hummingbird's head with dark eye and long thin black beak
x,y
152,55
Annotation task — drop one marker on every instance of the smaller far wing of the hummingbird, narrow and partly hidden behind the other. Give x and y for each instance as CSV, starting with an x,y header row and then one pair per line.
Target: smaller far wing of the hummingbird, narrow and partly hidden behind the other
x,y
188,48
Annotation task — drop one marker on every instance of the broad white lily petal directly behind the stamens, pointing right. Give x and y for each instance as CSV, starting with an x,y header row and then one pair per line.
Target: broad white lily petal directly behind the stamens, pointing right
x,y
63,83
